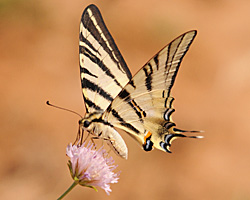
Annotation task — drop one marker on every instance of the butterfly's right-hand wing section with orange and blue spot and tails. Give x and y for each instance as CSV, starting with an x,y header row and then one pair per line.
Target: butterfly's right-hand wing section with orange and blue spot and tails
x,y
144,107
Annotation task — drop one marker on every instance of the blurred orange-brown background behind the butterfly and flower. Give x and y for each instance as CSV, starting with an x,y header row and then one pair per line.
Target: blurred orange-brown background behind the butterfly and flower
x,y
39,62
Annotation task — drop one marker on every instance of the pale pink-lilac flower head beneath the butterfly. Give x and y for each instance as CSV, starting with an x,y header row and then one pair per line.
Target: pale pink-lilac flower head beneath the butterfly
x,y
89,167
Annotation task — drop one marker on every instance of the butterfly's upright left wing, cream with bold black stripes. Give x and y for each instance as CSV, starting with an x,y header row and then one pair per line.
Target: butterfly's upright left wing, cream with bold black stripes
x,y
103,70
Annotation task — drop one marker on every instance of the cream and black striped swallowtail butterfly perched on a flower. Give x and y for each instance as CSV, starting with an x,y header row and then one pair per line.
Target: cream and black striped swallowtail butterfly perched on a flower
x,y
140,105
